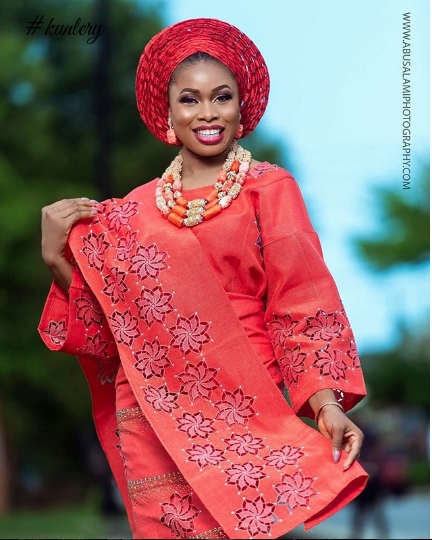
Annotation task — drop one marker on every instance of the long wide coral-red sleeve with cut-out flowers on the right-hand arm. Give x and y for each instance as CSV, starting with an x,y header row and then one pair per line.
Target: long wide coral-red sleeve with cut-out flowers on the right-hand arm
x,y
309,329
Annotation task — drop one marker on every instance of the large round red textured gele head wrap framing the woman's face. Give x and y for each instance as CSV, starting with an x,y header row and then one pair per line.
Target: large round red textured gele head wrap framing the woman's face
x,y
167,49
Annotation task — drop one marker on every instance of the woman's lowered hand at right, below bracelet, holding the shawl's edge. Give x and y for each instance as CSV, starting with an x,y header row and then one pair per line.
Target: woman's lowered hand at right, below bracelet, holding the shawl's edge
x,y
334,425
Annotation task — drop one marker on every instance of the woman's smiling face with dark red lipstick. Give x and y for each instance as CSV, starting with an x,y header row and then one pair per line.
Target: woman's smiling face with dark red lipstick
x,y
204,106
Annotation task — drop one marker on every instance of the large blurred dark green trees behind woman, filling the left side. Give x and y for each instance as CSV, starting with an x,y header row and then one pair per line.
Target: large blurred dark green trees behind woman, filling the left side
x,y
69,127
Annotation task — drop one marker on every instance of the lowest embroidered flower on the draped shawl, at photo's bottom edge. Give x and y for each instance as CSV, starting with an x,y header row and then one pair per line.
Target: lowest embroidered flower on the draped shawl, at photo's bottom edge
x,y
256,516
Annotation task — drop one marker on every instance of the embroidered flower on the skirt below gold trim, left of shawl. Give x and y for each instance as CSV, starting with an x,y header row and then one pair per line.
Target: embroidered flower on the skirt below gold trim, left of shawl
x,y
178,515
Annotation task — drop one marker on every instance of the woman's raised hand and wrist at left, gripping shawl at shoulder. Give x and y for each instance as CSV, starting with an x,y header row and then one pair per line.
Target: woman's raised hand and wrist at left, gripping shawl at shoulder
x,y
57,221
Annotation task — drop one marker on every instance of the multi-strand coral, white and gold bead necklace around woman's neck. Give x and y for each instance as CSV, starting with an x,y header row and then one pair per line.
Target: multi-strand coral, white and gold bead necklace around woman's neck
x,y
180,211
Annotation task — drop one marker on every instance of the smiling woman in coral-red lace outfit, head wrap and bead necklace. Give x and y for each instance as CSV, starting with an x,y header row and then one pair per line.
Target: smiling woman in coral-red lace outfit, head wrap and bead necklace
x,y
190,304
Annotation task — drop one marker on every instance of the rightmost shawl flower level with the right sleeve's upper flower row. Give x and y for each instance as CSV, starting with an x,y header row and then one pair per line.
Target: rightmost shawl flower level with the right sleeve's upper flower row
x,y
189,334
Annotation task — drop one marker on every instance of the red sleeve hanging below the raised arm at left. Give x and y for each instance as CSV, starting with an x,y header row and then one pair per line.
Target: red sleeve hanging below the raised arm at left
x,y
74,323
